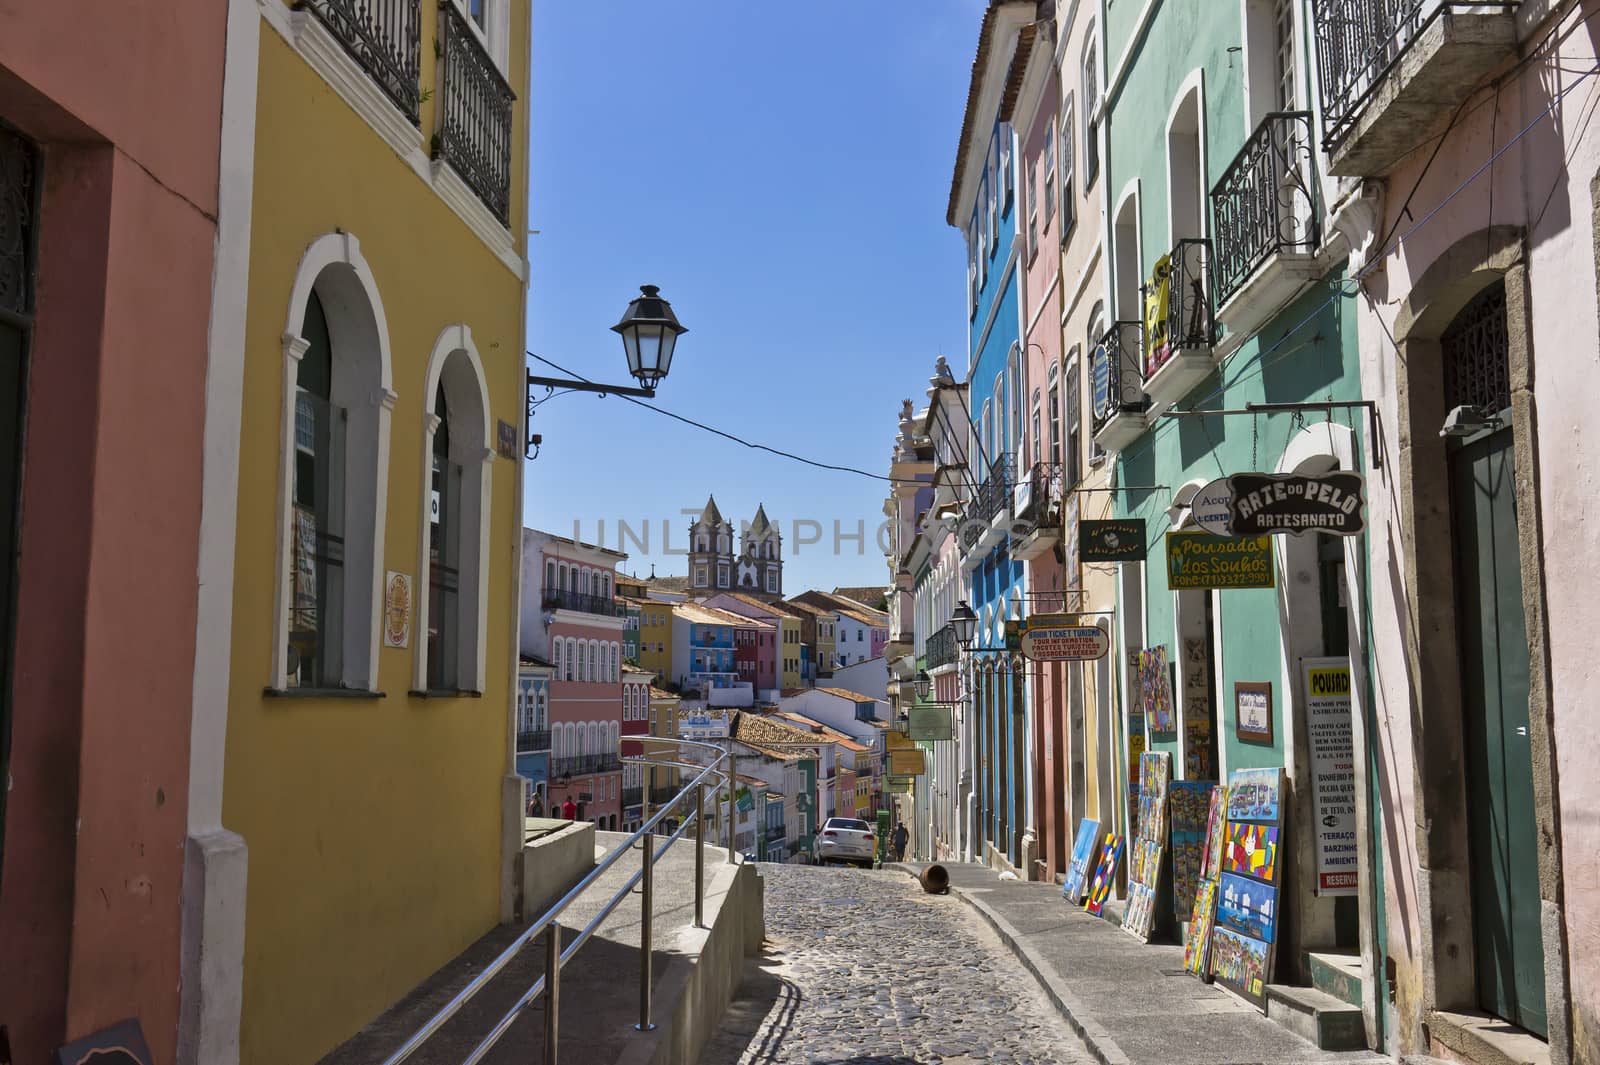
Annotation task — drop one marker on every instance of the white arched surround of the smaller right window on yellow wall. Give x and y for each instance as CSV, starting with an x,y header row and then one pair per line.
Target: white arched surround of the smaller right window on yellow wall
x,y
457,340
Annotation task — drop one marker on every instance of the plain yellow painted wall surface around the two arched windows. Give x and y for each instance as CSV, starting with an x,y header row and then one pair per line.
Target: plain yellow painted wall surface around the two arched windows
x,y
374,828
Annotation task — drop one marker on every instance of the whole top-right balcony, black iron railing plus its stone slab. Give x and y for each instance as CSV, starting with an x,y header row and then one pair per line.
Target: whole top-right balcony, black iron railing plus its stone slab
x,y
1361,44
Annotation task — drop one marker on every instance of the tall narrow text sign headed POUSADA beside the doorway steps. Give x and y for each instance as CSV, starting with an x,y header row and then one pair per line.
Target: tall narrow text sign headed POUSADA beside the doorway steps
x,y
1330,732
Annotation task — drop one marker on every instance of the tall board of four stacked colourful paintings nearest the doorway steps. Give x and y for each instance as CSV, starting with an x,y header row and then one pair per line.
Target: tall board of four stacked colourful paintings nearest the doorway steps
x,y
1244,941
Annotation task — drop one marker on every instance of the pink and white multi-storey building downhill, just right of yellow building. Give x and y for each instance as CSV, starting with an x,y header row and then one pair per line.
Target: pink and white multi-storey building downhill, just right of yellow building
x,y
574,621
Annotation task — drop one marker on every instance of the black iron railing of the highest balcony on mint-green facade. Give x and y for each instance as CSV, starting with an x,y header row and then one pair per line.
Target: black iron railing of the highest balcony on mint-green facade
x,y
1266,202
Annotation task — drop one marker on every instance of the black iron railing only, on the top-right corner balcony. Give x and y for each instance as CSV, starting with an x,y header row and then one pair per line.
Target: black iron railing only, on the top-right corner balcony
x,y
1359,42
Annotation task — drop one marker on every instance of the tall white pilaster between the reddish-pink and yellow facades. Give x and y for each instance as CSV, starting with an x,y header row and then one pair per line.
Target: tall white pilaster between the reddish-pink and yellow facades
x,y
212,947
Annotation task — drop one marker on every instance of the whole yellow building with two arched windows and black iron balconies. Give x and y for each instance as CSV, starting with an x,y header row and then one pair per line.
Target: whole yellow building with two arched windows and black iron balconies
x,y
372,274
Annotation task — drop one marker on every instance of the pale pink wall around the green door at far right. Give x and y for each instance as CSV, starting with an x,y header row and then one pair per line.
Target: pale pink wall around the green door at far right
x,y
1534,191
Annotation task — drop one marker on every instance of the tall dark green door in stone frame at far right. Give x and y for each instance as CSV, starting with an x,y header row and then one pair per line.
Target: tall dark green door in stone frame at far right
x,y
1510,951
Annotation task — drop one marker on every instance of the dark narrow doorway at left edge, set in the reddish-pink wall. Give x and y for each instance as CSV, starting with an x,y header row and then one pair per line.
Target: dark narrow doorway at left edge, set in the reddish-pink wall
x,y
18,196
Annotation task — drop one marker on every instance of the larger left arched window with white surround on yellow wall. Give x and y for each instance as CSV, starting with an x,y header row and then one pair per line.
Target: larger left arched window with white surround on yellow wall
x,y
337,409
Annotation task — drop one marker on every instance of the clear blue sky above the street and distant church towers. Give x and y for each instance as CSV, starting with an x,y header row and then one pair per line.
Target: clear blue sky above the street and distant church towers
x,y
782,172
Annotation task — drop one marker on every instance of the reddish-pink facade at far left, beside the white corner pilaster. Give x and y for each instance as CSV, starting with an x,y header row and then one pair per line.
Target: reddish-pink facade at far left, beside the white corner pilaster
x,y
118,113
